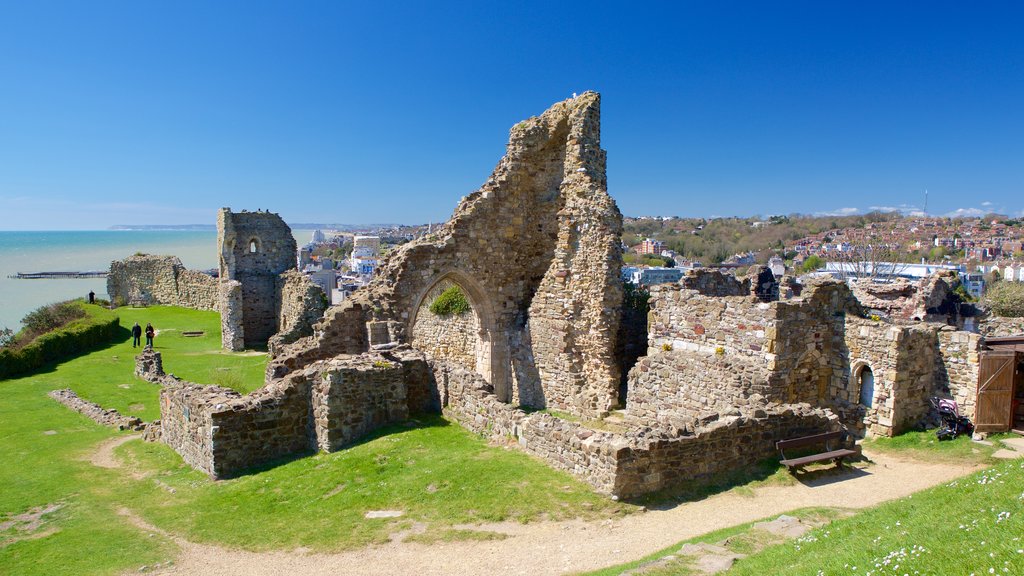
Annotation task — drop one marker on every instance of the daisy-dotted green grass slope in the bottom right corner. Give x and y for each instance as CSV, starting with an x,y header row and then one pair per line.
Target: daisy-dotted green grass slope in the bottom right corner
x,y
973,525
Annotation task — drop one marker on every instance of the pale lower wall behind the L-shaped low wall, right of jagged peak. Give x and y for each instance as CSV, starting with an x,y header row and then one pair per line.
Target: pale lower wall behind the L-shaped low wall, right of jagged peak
x,y
676,388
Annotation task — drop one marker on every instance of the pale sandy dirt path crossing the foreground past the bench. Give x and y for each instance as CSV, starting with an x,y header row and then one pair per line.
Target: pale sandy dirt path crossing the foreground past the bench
x,y
576,546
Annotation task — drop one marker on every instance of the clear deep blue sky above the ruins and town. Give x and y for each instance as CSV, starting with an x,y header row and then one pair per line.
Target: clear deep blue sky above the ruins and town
x,y
391,112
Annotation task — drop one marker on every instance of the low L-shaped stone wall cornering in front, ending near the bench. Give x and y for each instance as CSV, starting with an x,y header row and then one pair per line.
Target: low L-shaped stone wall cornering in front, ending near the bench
x,y
643,461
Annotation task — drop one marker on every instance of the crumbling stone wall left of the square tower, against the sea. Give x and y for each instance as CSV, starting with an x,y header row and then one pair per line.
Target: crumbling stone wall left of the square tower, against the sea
x,y
149,280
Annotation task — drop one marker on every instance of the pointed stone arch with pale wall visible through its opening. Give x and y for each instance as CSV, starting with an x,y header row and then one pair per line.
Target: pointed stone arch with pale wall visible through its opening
x,y
487,344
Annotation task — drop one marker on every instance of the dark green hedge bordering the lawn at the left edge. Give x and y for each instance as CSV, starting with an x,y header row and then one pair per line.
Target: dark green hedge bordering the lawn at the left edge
x,y
98,327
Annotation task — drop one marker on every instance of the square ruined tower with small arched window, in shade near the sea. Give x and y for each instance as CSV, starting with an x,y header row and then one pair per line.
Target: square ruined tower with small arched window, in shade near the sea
x,y
255,249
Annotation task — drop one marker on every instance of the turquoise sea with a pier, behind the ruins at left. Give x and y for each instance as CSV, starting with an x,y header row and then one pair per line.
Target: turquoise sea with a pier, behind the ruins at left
x,y
84,252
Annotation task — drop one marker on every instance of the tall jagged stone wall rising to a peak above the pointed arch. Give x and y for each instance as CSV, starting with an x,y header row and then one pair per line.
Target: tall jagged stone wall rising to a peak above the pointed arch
x,y
536,251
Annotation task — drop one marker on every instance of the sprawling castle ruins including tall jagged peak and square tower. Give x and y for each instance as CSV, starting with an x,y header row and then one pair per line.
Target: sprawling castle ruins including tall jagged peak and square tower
x,y
535,256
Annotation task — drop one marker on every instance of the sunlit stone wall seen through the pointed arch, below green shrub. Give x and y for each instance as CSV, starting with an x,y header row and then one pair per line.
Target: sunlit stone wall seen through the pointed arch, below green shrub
x,y
452,338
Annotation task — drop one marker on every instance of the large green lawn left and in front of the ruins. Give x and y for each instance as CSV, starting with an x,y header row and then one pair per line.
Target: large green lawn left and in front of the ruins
x,y
59,513
